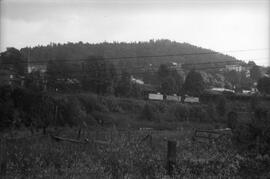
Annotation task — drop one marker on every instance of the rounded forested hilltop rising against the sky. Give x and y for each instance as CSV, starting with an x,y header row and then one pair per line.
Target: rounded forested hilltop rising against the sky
x,y
77,51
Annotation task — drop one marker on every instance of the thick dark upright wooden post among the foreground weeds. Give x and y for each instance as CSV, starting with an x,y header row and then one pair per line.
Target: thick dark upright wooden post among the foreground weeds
x,y
171,157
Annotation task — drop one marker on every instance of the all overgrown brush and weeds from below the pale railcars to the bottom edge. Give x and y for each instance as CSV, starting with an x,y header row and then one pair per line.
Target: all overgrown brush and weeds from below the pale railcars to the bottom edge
x,y
129,153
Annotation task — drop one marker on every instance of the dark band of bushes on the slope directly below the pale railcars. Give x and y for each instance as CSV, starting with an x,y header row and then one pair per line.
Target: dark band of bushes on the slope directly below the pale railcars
x,y
31,109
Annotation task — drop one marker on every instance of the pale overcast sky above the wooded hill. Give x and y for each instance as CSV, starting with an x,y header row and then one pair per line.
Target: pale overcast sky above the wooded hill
x,y
220,25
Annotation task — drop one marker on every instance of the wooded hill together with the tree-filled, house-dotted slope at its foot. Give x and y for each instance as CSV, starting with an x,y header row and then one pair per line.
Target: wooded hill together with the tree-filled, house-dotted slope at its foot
x,y
67,71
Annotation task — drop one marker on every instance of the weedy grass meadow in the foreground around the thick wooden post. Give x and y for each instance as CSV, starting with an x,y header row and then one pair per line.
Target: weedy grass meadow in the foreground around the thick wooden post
x,y
115,153
